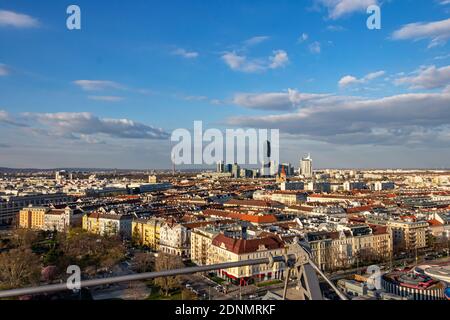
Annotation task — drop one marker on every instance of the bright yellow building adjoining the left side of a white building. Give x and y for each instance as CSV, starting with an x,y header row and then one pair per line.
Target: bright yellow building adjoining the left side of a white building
x,y
146,232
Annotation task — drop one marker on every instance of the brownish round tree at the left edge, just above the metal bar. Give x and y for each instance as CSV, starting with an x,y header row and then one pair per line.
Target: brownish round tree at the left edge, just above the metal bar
x,y
18,268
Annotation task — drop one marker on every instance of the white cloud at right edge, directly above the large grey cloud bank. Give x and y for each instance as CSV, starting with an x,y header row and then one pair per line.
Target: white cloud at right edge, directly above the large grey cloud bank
x,y
427,78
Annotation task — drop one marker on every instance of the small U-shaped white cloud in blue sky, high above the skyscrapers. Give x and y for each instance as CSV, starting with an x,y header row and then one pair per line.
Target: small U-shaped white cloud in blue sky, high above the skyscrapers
x,y
240,62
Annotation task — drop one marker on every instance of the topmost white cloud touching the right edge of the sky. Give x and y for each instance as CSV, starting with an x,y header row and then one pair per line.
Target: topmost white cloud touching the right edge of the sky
x,y
438,32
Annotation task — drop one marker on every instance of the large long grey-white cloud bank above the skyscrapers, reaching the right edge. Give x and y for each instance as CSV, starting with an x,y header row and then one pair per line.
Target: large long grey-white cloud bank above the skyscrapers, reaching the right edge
x,y
414,119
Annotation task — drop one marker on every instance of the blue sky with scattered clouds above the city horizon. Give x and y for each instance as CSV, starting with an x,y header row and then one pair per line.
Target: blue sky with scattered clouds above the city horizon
x,y
111,94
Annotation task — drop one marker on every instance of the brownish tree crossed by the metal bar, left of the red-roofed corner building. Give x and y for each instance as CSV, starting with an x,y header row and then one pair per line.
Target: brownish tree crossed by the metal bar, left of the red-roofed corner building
x,y
167,262
